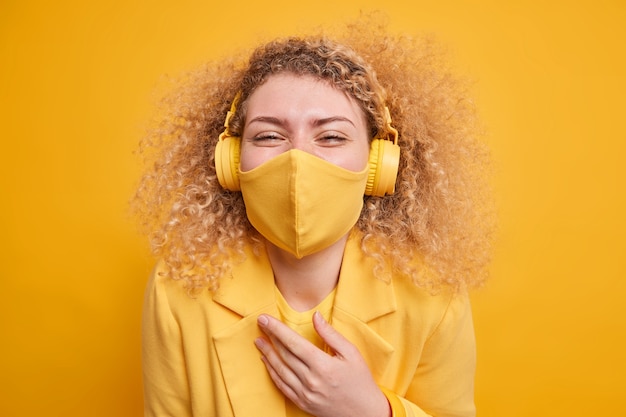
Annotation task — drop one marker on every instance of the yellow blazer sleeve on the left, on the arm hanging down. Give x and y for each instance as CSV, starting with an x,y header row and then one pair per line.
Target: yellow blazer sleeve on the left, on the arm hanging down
x,y
166,388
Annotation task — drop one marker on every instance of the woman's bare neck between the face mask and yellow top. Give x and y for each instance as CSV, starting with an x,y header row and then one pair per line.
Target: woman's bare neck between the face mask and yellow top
x,y
305,282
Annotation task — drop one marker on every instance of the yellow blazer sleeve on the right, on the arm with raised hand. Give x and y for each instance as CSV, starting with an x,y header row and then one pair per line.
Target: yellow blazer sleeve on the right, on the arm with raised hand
x,y
443,385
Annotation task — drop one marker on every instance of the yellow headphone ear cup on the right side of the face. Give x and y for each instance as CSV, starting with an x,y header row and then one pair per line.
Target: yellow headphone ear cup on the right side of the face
x,y
383,168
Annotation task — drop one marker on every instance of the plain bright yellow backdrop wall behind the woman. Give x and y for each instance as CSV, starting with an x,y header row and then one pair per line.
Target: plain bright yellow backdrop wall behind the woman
x,y
76,87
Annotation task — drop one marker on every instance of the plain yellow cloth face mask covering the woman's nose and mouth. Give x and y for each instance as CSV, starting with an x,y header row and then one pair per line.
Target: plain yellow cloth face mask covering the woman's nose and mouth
x,y
302,203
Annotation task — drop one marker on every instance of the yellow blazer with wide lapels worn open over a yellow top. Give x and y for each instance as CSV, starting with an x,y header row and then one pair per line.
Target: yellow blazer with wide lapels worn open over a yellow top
x,y
199,358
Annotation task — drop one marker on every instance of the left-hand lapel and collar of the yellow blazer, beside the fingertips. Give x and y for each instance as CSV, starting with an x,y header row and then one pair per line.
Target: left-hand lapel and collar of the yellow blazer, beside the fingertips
x,y
248,293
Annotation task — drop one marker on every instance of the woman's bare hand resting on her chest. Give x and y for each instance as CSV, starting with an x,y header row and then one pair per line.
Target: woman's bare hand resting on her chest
x,y
324,385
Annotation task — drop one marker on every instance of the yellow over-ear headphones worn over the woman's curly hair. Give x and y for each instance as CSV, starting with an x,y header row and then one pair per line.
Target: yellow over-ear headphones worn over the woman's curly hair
x,y
383,161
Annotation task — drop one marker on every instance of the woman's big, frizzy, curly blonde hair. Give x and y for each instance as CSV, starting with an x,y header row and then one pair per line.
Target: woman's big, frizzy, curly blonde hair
x,y
437,226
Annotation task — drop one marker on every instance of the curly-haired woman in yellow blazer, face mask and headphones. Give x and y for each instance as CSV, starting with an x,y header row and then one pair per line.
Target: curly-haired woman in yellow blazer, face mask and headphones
x,y
316,255
